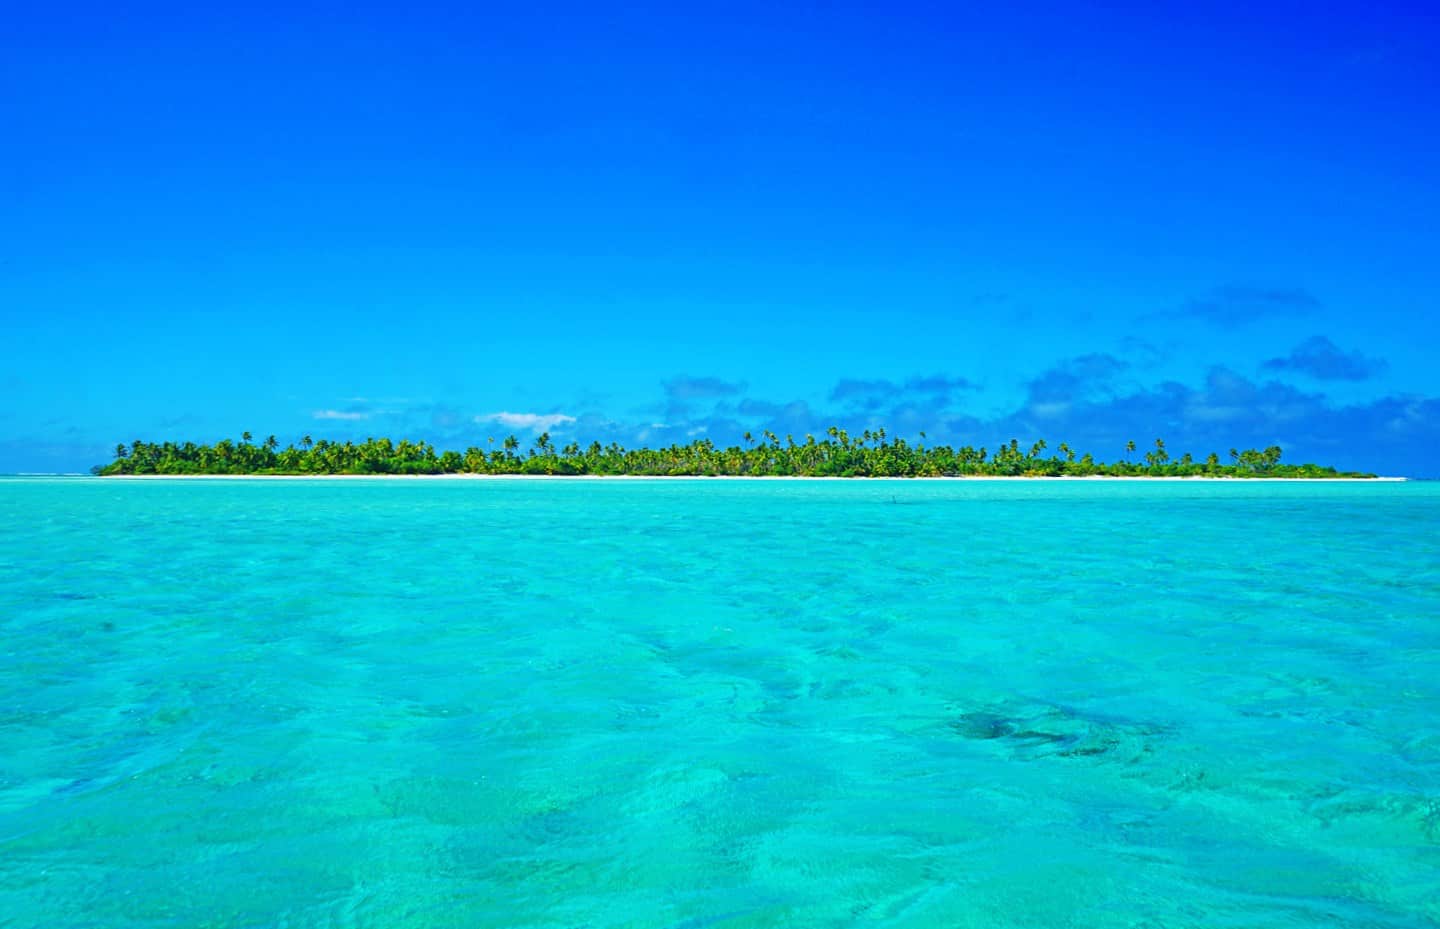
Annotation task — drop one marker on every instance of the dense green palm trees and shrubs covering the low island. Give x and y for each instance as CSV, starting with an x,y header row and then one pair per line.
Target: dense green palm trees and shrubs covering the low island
x,y
840,454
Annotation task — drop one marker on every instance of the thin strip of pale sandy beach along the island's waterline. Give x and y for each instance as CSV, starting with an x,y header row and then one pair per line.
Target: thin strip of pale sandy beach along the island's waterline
x,y
725,477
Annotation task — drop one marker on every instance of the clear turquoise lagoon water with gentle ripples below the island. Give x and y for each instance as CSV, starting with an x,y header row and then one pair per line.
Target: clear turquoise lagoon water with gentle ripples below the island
x,y
716,704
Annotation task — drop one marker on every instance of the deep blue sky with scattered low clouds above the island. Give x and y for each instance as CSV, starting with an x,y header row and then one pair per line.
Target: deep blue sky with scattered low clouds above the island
x,y
1079,223
